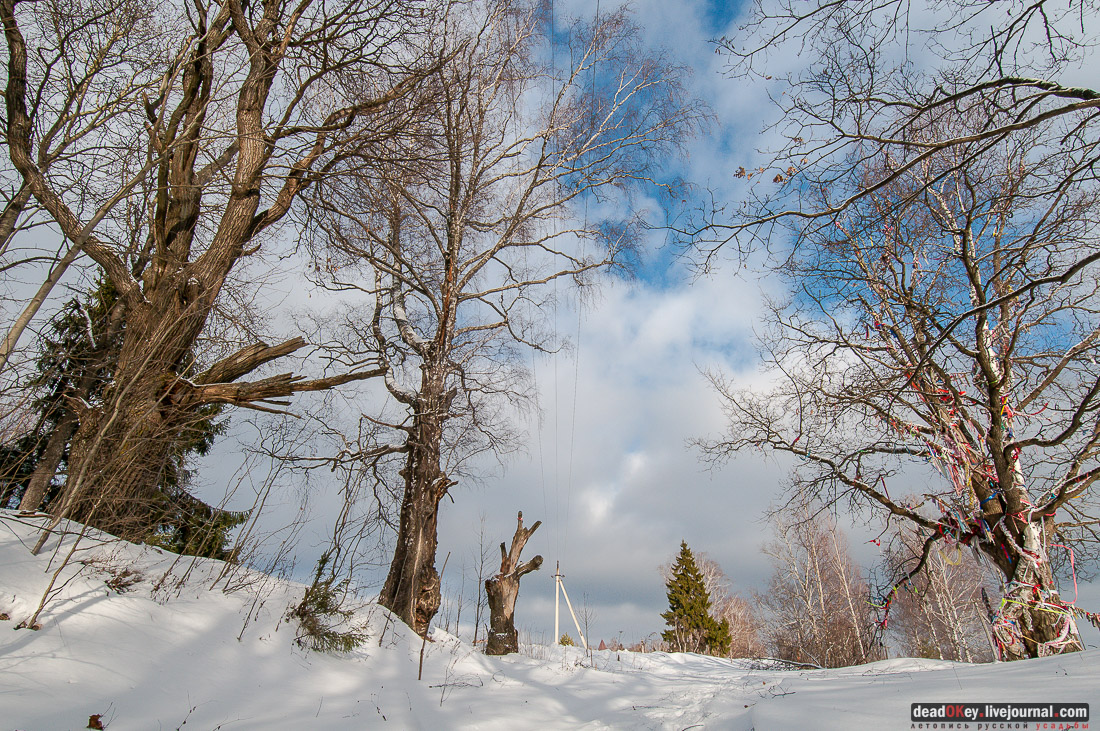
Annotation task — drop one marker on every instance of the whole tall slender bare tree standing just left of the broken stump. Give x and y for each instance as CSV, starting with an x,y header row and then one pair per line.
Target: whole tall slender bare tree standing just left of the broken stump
x,y
458,238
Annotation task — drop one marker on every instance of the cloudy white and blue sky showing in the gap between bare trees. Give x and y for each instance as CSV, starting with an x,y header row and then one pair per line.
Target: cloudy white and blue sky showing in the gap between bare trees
x,y
608,468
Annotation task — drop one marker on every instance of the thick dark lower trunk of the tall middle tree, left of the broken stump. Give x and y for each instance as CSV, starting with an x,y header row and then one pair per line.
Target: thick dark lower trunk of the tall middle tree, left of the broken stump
x,y
412,590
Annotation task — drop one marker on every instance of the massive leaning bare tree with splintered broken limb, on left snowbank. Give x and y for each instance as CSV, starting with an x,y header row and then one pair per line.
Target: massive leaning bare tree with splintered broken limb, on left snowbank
x,y
246,108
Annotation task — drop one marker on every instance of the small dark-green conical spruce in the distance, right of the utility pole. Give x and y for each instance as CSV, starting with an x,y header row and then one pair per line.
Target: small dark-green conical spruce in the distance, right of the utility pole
x,y
691,626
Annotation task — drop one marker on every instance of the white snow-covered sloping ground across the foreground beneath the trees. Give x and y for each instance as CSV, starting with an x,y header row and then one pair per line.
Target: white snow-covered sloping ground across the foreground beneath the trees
x,y
164,655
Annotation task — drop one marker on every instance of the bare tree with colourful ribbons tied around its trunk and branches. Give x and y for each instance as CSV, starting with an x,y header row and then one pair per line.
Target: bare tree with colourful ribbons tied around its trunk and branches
x,y
943,337
